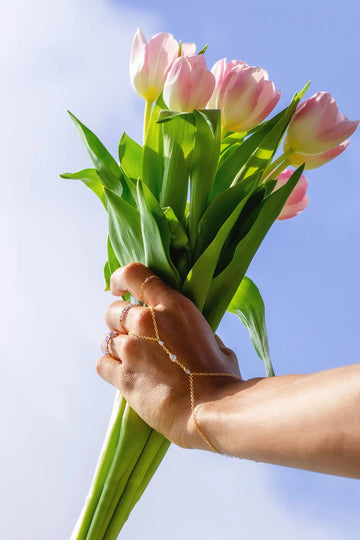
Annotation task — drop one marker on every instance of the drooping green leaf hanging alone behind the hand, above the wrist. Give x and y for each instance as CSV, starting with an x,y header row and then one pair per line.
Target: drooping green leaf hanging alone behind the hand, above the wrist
x,y
248,305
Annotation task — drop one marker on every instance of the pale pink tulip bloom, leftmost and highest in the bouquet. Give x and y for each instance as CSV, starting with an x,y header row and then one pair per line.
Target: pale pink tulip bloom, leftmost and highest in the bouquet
x,y
150,63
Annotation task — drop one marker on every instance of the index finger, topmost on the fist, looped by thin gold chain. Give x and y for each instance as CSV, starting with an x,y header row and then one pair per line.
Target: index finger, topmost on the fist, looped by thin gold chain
x,y
141,283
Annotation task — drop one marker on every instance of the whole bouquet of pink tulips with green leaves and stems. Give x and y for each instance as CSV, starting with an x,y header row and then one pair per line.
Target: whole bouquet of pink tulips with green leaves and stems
x,y
194,203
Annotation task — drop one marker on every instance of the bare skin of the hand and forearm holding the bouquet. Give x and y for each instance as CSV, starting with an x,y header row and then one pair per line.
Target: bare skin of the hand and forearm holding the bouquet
x,y
307,421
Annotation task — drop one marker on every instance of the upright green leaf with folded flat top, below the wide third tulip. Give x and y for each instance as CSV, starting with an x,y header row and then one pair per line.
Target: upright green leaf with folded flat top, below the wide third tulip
x,y
203,166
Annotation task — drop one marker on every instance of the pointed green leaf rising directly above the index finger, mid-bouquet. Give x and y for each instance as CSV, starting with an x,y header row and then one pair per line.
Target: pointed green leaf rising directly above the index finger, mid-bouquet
x,y
156,236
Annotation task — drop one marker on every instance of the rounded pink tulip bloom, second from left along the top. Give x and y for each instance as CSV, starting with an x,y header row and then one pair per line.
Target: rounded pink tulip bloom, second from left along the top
x,y
189,84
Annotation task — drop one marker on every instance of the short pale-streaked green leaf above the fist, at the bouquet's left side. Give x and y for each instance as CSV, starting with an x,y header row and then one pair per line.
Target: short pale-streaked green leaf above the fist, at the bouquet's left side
x,y
124,230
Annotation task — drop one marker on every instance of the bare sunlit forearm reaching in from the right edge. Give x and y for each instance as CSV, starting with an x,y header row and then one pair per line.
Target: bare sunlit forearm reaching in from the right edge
x,y
304,421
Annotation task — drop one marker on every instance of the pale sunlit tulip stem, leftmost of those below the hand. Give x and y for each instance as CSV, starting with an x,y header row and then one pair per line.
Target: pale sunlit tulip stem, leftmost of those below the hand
x,y
102,469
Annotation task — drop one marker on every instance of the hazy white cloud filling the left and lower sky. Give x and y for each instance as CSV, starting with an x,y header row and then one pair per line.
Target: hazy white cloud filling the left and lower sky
x,y
53,56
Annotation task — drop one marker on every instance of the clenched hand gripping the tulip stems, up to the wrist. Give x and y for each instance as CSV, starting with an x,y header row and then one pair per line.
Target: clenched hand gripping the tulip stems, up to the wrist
x,y
154,386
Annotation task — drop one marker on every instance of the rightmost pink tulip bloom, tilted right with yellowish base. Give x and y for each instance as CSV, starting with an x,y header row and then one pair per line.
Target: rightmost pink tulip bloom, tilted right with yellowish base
x,y
317,126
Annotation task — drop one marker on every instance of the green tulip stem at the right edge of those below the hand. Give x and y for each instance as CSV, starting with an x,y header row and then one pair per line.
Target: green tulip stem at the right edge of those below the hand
x,y
154,451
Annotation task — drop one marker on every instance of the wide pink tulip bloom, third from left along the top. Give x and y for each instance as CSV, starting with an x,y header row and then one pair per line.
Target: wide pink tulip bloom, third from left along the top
x,y
244,94
